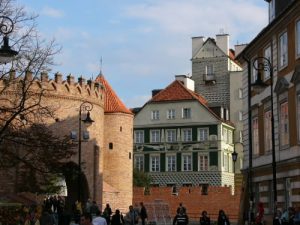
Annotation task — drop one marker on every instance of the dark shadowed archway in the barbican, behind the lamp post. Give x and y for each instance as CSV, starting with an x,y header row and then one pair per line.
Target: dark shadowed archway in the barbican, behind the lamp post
x,y
70,172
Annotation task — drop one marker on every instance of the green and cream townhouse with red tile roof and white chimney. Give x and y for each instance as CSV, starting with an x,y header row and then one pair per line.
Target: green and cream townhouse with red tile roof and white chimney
x,y
180,141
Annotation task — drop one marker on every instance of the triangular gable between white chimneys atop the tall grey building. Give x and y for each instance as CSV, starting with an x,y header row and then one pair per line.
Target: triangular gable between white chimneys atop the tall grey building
x,y
209,49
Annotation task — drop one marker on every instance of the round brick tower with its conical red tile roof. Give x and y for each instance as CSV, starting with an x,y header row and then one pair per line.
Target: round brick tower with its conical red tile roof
x,y
117,150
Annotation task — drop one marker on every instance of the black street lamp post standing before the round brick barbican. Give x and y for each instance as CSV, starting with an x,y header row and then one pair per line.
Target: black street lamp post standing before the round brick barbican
x,y
84,107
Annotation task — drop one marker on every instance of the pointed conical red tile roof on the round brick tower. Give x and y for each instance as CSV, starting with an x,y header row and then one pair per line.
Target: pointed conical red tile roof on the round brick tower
x,y
112,102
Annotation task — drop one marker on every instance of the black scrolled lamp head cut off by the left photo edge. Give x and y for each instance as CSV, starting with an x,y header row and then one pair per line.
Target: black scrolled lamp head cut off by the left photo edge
x,y
6,27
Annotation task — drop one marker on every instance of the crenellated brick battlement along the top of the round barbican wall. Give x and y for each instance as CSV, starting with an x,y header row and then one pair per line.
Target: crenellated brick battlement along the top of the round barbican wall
x,y
69,88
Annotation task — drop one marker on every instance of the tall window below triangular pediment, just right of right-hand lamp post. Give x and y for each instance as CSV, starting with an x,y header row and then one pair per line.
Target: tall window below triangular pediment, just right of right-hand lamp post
x,y
284,128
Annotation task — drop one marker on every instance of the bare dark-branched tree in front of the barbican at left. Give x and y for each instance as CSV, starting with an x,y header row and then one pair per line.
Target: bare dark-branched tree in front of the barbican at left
x,y
25,138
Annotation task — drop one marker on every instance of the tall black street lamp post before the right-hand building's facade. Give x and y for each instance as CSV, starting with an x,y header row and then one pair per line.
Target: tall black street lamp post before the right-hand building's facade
x,y
264,64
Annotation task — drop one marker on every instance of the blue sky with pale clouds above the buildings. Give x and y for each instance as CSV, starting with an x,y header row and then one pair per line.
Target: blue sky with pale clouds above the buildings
x,y
143,44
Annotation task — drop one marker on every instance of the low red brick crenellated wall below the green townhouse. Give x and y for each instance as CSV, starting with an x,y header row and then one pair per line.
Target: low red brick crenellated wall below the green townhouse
x,y
191,197
